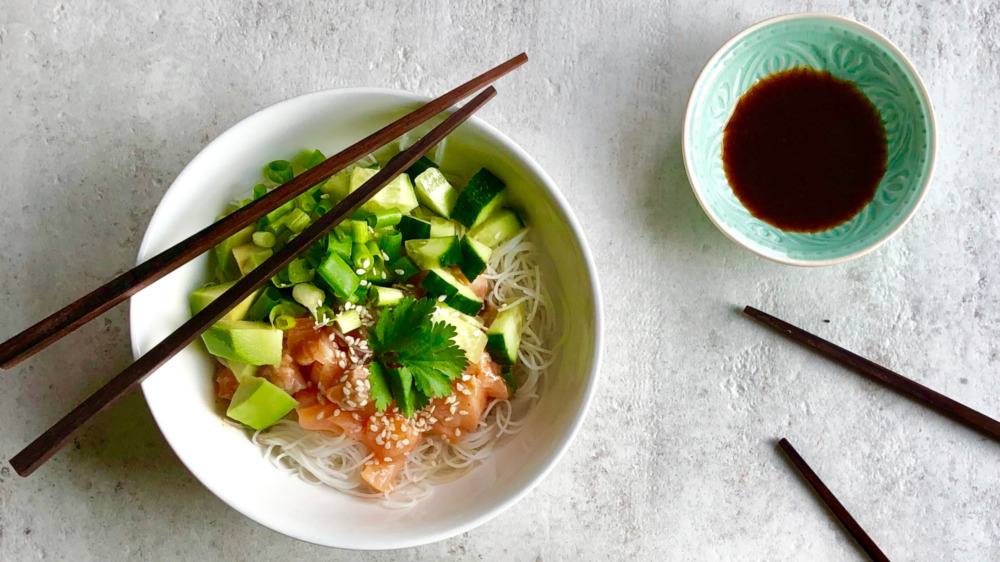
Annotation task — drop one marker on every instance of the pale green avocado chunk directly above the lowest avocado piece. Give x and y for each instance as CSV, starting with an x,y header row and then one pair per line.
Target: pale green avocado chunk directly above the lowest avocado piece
x,y
254,343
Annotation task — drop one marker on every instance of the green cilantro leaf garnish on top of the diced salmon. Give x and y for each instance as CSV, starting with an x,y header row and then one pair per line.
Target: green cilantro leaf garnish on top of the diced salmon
x,y
418,357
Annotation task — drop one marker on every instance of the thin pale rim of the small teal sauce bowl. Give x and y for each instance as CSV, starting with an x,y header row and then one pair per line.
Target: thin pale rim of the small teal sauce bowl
x,y
703,77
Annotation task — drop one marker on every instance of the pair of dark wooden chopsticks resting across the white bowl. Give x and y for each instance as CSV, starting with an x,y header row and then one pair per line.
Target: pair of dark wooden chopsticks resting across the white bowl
x,y
92,305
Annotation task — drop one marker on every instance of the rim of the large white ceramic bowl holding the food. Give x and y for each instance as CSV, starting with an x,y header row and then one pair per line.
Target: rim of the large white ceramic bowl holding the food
x,y
592,371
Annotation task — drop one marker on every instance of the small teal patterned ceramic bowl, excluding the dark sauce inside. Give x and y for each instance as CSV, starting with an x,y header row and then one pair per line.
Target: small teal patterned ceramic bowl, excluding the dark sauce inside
x,y
850,51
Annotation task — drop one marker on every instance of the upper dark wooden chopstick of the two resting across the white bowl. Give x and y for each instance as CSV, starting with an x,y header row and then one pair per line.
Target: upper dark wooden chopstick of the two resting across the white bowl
x,y
37,337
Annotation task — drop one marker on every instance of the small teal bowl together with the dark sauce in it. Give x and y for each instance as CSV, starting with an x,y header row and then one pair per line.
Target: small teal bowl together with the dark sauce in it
x,y
809,139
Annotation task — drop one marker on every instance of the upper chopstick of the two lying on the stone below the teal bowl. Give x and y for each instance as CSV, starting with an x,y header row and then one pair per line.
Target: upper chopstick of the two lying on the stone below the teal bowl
x,y
911,389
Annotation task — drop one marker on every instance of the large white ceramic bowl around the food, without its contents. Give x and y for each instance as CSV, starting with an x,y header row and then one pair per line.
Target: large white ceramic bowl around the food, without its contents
x,y
181,395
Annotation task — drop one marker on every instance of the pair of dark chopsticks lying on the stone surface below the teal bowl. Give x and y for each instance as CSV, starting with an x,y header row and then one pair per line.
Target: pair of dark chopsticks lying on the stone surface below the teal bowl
x,y
909,388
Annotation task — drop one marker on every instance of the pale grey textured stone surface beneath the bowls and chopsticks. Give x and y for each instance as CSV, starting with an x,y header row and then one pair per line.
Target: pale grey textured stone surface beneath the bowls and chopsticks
x,y
103,104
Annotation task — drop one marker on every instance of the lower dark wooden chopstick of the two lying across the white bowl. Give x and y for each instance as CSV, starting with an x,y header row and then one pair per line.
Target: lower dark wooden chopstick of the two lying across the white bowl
x,y
47,444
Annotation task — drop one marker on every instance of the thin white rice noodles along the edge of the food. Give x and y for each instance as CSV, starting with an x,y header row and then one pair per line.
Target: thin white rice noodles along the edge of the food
x,y
336,461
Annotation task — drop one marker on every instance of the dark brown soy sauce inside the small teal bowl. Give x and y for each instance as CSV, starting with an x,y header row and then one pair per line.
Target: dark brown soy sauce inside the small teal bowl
x,y
804,150
